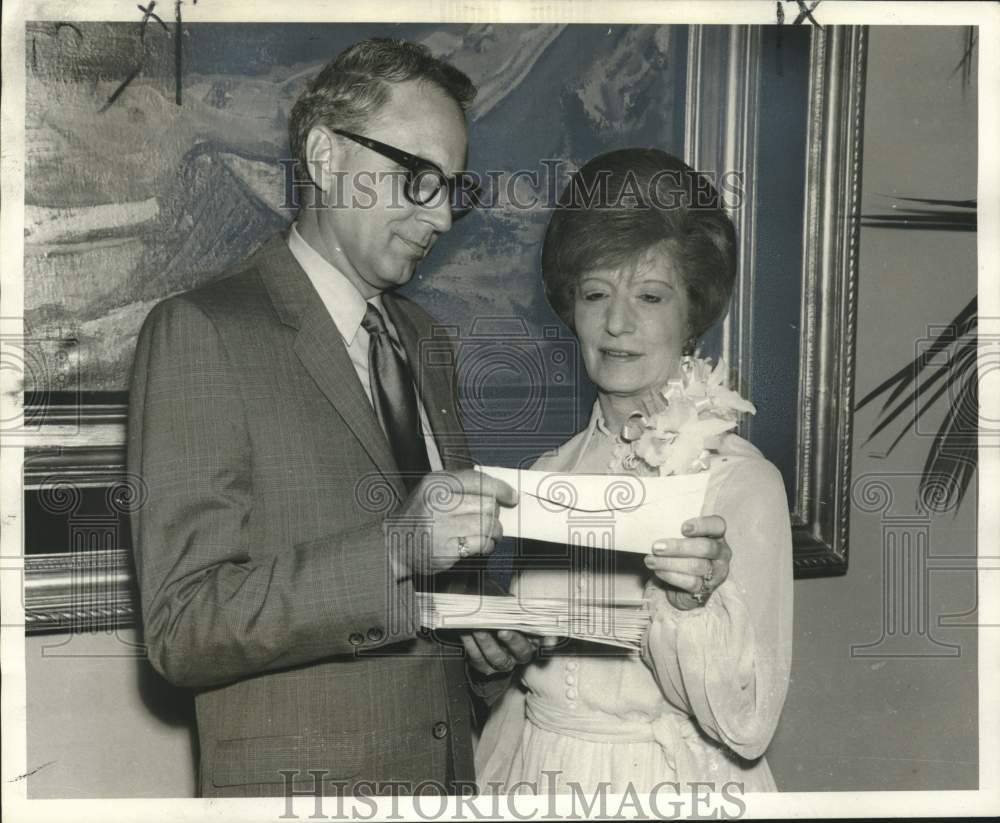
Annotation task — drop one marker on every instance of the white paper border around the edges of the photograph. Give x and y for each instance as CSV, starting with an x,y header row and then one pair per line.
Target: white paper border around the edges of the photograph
x,y
782,805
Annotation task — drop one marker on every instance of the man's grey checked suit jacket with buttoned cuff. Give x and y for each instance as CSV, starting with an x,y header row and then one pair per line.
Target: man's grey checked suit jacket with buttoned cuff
x,y
261,553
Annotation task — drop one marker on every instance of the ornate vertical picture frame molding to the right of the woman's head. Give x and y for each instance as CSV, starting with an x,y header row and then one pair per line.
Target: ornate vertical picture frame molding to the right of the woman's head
x,y
722,132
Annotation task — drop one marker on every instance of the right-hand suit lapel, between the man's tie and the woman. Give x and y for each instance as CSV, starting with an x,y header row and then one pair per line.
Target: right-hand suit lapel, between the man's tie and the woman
x,y
430,358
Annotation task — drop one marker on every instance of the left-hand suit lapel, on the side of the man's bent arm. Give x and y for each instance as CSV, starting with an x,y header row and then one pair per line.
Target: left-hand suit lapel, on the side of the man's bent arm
x,y
321,350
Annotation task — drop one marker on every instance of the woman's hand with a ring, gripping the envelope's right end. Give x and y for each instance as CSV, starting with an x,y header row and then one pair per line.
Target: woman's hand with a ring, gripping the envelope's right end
x,y
695,565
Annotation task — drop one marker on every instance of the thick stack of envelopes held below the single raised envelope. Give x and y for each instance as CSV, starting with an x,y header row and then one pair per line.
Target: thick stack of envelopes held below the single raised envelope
x,y
621,624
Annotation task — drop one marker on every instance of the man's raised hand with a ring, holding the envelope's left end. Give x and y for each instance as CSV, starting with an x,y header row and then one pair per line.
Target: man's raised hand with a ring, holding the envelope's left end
x,y
461,512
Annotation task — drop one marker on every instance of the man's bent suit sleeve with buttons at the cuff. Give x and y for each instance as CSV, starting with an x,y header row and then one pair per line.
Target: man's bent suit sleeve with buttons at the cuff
x,y
216,607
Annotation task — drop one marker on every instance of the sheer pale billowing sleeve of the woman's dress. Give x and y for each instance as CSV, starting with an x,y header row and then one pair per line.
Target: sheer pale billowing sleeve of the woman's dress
x,y
728,663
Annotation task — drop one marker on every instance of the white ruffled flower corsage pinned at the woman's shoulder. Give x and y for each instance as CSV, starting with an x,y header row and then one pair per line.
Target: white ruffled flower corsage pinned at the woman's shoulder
x,y
681,423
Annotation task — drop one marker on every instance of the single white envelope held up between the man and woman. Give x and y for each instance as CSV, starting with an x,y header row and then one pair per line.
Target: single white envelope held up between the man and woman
x,y
616,511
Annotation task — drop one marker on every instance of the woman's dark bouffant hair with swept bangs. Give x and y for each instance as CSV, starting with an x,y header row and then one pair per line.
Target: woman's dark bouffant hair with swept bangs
x,y
622,204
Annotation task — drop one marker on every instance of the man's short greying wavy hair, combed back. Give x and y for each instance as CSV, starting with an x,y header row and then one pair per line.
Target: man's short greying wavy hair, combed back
x,y
352,88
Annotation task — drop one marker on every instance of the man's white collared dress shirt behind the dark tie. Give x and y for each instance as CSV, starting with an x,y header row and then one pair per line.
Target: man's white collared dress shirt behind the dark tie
x,y
347,308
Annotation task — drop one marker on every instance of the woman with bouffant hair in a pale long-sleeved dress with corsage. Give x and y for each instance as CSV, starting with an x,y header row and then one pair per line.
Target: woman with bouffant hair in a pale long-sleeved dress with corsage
x,y
639,260
